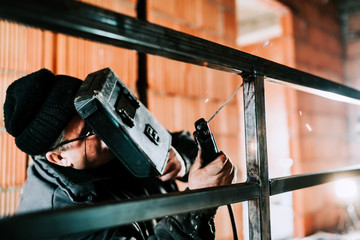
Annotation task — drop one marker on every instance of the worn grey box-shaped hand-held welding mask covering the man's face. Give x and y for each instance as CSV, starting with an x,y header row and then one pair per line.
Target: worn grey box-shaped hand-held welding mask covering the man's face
x,y
126,126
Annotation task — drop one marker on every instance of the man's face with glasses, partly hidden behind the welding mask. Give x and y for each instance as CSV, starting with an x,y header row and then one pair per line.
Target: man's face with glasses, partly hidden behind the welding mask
x,y
74,155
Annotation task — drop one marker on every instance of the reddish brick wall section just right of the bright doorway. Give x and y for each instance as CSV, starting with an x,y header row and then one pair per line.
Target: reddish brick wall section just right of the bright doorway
x,y
318,50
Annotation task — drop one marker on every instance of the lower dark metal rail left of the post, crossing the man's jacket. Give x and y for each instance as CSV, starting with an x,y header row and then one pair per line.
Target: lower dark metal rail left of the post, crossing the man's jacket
x,y
63,222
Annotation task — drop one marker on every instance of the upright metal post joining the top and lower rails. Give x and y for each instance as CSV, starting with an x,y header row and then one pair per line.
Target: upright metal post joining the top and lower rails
x,y
256,155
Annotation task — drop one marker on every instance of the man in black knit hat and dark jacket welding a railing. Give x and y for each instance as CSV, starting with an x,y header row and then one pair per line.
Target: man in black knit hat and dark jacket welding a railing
x,y
72,166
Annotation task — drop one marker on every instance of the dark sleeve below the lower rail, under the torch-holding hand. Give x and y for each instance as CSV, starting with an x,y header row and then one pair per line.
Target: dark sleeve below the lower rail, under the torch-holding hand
x,y
196,225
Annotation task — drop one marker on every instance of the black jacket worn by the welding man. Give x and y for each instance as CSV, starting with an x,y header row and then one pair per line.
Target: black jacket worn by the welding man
x,y
49,186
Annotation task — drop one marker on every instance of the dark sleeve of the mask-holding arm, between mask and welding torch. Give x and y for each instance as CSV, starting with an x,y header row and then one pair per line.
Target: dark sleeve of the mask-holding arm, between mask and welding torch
x,y
185,145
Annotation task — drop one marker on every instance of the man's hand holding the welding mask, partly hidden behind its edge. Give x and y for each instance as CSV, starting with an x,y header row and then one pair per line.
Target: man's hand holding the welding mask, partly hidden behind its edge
x,y
175,167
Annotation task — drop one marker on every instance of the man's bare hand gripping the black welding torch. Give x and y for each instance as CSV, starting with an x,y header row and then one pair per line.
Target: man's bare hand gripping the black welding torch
x,y
219,172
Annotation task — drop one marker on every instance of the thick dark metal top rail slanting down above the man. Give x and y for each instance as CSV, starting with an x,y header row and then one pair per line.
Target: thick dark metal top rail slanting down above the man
x,y
82,20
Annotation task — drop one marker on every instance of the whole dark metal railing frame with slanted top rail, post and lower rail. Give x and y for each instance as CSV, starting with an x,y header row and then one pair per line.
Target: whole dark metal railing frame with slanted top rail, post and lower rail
x,y
89,22
